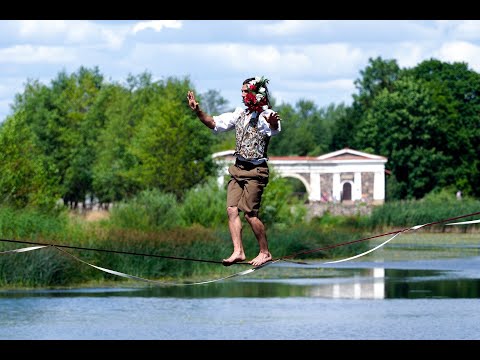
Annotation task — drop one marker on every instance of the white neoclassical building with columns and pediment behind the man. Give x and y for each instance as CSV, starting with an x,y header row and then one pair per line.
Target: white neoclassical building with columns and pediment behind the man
x,y
344,176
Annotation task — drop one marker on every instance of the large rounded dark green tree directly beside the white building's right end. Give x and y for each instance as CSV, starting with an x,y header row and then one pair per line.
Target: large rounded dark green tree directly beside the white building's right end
x,y
402,124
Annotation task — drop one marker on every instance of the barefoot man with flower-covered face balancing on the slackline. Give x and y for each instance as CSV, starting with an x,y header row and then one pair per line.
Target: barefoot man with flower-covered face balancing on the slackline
x,y
254,126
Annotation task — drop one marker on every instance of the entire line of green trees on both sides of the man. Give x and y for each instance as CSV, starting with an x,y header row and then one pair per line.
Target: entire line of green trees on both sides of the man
x,y
83,138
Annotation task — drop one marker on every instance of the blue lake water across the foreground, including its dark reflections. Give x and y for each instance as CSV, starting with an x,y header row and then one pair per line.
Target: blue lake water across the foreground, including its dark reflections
x,y
358,300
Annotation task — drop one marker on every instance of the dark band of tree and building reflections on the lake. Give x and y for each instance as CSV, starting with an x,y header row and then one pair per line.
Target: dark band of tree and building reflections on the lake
x,y
379,282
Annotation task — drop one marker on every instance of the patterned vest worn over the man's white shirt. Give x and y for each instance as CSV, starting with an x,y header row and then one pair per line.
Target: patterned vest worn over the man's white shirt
x,y
250,143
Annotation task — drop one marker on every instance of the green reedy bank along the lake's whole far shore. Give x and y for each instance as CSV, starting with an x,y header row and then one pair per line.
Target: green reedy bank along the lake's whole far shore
x,y
163,254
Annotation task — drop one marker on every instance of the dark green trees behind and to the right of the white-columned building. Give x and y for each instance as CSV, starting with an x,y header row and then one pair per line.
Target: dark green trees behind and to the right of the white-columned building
x,y
425,120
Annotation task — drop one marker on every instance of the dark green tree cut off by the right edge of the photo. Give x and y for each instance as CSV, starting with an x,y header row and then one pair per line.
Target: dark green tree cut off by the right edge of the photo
x,y
457,93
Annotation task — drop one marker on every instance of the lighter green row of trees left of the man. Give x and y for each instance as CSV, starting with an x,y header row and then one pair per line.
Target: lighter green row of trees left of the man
x,y
83,138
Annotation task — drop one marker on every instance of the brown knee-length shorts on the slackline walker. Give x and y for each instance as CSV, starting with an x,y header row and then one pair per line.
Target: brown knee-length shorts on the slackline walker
x,y
246,186
